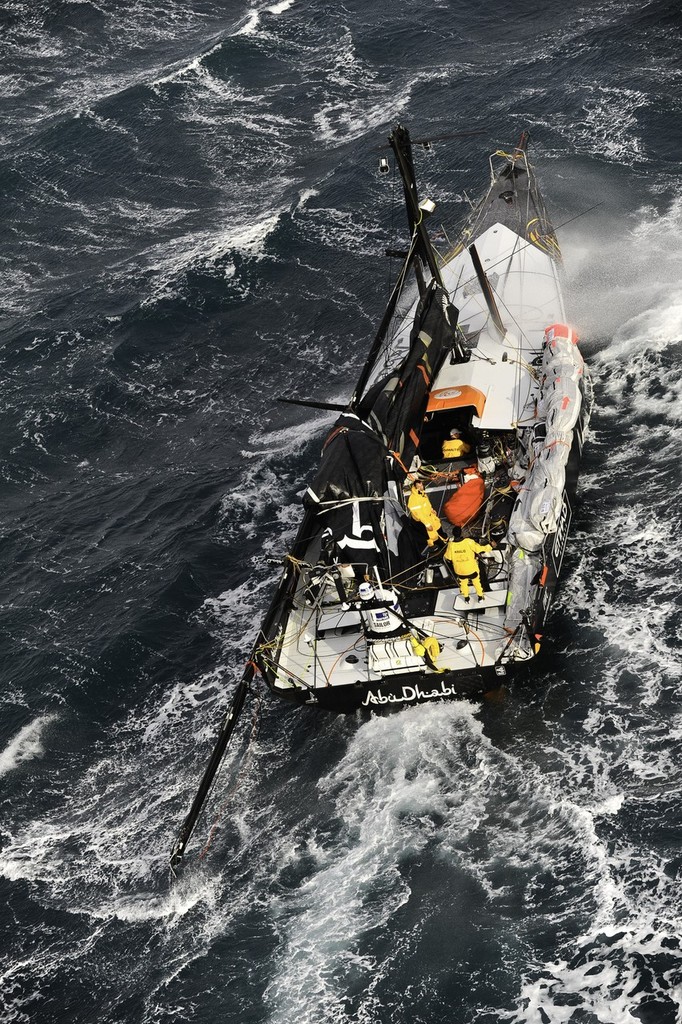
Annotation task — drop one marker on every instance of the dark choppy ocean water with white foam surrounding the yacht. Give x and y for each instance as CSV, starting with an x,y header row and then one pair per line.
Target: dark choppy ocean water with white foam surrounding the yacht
x,y
193,226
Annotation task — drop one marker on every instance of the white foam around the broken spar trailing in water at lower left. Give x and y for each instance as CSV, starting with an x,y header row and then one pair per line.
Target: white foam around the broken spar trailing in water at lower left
x,y
102,856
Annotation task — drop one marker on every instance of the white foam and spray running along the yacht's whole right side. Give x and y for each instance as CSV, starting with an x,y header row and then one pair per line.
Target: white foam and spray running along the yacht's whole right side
x,y
626,588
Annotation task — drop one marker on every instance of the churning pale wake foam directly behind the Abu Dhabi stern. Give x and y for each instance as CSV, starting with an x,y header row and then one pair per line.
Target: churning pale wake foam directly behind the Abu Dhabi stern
x,y
427,780
